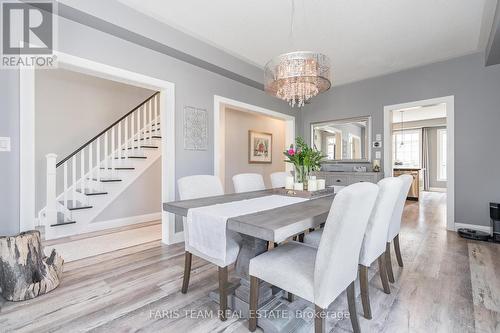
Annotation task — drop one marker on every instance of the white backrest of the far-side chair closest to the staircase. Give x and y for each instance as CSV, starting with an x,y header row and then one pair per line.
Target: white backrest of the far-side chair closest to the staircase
x,y
200,186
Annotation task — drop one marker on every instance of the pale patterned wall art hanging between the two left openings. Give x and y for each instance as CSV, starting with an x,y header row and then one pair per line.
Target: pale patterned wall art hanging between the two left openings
x,y
195,128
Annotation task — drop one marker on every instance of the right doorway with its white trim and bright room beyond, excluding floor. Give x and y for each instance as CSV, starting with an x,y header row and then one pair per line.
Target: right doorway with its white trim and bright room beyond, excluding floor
x,y
419,140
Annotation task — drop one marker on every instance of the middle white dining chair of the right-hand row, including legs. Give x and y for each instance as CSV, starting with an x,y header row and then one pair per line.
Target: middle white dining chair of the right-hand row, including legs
x,y
373,247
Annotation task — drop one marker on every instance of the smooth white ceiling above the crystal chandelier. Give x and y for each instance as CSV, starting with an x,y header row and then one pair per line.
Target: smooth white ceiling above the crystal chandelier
x,y
362,38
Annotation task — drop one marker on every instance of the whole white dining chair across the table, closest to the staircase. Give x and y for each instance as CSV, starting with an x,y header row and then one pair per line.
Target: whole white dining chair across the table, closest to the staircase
x,y
200,186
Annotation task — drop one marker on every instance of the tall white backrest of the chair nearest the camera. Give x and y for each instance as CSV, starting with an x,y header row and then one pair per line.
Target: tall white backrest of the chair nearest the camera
x,y
338,253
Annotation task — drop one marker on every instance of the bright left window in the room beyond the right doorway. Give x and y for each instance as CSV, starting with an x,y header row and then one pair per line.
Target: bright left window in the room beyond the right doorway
x,y
406,148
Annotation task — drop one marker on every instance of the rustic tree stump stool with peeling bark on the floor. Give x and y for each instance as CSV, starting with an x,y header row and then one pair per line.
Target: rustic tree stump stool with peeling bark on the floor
x,y
25,271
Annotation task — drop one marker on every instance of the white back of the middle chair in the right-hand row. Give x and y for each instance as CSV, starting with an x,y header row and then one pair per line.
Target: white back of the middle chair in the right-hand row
x,y
376,231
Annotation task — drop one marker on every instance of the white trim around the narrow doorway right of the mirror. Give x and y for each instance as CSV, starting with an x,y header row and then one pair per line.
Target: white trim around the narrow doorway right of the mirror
x,y
450,126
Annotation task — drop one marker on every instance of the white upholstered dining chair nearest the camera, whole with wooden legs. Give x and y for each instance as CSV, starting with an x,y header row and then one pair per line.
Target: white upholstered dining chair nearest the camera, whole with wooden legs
x,y
320,275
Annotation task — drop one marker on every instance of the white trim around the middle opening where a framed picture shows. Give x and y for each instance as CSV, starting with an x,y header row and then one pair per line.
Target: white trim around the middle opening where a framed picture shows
x,y
219,128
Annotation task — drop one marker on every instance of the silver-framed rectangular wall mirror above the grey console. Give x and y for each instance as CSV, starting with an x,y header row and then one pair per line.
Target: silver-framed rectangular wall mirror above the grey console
x,y
343,140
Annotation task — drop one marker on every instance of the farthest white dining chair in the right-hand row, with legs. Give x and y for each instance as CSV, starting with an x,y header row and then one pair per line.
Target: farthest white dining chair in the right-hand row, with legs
x,y
395,226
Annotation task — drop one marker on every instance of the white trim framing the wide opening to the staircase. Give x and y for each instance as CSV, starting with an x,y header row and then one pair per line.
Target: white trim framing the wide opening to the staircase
x,y
82,65
